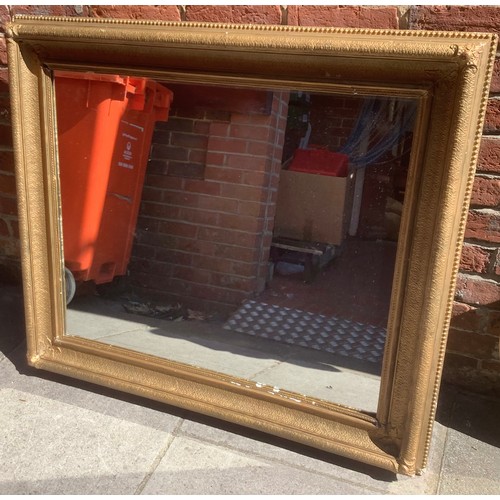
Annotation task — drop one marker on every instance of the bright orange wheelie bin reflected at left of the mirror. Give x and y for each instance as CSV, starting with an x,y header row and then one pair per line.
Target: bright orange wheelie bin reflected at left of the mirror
x,y
105,127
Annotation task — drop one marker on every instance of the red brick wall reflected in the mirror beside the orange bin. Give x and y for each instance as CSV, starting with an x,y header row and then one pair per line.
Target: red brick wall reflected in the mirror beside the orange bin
x,y
206,219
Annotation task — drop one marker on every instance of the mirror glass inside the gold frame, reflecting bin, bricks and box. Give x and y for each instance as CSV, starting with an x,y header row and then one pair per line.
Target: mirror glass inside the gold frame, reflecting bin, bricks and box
x,y
248,232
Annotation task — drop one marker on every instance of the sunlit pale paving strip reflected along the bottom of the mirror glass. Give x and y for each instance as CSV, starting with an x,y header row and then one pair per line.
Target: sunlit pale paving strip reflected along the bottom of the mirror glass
x,y
208,345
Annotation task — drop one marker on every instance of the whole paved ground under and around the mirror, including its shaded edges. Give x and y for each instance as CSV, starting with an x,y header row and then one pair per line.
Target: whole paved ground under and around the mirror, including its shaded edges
x,y
62,436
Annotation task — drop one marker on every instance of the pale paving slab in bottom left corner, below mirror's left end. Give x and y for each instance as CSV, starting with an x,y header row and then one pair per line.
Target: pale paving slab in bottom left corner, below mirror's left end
x,y
63,436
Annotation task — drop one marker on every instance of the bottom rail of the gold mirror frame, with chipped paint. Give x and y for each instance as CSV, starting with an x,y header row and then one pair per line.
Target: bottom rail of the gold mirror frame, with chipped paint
x,y
345,432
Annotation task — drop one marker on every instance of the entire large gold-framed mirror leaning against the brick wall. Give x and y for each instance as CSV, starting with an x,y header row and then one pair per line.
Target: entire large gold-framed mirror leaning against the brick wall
x,y
261,224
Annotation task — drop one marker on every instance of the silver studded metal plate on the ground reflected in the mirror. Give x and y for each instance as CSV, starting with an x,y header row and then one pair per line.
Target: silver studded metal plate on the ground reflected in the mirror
x,y
315,331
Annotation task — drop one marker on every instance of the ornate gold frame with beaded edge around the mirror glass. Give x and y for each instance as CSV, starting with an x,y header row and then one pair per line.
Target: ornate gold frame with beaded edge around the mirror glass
x,y
447,73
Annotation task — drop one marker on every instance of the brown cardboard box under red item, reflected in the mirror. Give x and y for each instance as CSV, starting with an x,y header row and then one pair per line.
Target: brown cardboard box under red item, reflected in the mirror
x,y
313,207
